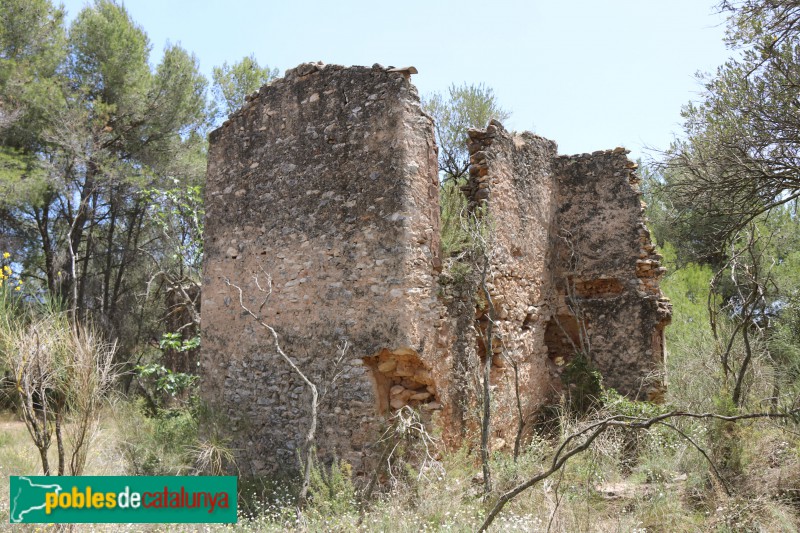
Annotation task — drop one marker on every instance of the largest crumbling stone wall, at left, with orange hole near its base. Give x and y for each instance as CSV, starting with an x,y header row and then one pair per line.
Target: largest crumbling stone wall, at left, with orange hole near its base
x,y
326,182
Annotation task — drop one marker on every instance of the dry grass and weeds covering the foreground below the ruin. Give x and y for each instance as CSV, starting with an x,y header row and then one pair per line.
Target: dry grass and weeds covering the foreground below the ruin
x,y
666,488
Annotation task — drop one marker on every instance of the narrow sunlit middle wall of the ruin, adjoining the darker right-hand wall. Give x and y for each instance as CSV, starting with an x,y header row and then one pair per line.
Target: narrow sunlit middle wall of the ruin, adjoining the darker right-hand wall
x,y
511,178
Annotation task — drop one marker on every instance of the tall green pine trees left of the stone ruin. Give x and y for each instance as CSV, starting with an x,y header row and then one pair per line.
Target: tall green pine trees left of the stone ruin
x,y
102,158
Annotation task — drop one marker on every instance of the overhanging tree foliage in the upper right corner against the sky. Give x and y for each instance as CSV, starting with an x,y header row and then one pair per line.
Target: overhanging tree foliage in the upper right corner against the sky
x,y
738,158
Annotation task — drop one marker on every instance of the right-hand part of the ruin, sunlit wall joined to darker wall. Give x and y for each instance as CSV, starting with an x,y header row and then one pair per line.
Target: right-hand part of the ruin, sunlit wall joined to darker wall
x,y
573,272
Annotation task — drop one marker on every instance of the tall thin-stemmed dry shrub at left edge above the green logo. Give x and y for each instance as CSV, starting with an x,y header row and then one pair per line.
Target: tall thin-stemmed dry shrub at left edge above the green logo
x,y
60,373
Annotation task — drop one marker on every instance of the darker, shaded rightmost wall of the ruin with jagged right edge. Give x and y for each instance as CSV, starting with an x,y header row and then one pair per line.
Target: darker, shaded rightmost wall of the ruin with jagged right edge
x,y
607,272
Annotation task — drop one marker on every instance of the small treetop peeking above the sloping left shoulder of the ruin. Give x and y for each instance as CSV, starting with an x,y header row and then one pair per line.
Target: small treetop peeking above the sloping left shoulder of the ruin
x,y
233,82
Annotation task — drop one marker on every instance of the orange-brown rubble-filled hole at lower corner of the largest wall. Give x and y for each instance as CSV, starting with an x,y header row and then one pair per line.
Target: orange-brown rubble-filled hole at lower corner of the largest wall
x,y
399,379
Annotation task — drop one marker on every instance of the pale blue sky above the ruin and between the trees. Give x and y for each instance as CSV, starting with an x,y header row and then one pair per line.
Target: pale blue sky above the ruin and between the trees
x,y
589,74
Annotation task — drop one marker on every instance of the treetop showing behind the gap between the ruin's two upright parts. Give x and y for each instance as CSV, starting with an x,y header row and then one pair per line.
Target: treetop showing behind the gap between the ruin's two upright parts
x,y
464,107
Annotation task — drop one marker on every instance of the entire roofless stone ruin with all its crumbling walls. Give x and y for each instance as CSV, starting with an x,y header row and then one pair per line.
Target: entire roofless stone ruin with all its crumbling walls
x,y
323,191
